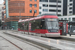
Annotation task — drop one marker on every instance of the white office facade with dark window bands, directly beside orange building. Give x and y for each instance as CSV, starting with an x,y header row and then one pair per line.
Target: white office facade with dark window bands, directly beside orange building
x,y
51,6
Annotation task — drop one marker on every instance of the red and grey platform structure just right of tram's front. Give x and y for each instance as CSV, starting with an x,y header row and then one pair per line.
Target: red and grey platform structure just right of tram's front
x,y
63,27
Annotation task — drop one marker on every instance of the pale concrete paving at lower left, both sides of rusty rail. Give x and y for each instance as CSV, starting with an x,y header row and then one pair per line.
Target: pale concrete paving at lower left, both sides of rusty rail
x,y
7,46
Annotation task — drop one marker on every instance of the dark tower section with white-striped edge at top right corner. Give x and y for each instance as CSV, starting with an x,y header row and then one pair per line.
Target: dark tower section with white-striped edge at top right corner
x,y
68,7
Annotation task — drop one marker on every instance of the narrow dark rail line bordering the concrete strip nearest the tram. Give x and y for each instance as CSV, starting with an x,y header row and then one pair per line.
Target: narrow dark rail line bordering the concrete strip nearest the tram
x,y
36,43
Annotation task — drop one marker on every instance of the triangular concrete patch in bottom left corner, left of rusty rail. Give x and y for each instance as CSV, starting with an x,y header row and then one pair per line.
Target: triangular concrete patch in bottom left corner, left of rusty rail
x,y
5,45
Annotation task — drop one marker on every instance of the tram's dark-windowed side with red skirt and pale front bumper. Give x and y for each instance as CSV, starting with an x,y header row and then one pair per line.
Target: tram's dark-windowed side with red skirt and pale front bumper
x,y
39,27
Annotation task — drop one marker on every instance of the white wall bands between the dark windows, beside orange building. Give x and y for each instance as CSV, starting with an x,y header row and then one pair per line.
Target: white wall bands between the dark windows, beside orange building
x,y
53,8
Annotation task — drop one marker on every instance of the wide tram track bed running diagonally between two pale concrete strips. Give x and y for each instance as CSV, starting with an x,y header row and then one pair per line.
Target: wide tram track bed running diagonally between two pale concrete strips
x,y
40,46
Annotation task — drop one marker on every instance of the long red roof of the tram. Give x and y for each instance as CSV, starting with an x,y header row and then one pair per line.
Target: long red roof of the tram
x,y
43,16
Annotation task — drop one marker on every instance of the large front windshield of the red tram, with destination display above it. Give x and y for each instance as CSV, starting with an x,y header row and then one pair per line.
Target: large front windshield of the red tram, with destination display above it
x,y
52,24
